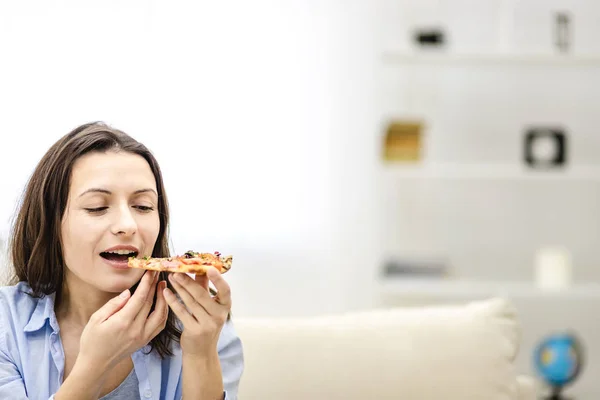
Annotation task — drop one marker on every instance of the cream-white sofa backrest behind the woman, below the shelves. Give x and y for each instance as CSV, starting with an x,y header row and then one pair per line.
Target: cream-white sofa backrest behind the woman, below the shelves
x,y
450,352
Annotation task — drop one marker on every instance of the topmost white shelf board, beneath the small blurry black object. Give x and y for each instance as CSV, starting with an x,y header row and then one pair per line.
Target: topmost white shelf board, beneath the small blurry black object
x,y
490,59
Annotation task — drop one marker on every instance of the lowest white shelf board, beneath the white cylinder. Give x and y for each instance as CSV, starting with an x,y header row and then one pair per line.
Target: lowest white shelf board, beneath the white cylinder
x,y
448,288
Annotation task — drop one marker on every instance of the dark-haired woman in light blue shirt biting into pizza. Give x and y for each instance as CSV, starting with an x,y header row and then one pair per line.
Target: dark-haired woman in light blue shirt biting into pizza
x,y
76,323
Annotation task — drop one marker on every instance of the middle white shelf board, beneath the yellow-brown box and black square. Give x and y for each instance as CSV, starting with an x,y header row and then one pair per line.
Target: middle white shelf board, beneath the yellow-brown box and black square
x,y
490,171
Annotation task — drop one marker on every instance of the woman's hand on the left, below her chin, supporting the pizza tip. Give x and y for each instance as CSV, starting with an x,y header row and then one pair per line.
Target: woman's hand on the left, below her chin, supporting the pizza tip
x,y
122,325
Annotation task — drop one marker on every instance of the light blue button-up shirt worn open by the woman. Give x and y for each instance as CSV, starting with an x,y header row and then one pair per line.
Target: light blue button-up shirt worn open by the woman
x,y
32,359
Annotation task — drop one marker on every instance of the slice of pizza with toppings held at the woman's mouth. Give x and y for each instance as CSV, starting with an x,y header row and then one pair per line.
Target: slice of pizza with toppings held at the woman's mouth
x,y
191,262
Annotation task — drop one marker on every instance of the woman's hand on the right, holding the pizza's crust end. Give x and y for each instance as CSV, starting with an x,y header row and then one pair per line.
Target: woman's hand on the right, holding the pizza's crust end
x,y
202,315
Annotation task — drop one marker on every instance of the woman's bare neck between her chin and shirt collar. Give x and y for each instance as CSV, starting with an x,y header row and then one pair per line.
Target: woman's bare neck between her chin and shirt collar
x,y
77,301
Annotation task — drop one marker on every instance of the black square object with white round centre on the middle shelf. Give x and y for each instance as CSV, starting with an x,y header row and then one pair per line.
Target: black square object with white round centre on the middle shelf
x,y
545,147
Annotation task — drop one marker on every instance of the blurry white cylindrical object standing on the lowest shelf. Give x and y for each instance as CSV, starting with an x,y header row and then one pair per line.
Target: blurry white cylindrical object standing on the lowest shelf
x,y
553,268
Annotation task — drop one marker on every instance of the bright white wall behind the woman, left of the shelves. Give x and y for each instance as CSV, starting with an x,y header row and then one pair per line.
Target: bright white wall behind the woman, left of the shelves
x,y
255,110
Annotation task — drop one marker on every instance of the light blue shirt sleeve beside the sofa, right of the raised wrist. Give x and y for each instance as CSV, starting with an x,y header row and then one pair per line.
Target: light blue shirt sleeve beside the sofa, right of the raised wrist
x,y
231,356
